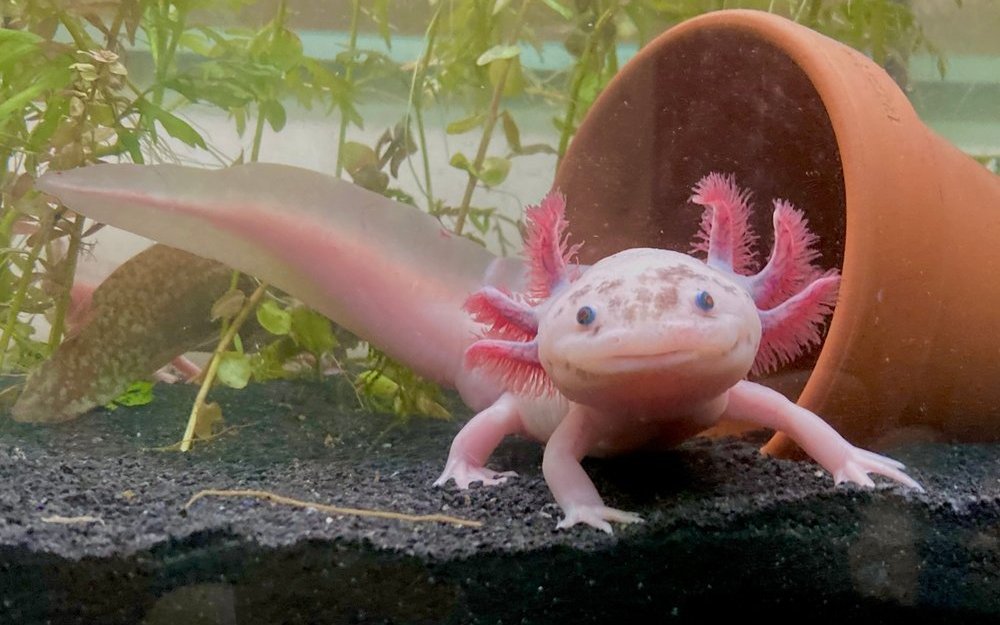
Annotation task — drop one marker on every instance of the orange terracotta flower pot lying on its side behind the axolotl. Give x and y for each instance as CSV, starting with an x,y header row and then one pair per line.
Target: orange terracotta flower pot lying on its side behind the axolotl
x,y
913,223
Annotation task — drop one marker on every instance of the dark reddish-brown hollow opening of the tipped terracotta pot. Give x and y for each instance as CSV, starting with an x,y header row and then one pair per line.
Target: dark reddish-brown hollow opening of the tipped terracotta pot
x,y
712,99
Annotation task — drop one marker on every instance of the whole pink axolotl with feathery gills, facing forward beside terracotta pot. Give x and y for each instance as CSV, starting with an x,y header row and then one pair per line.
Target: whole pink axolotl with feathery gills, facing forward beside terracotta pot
x,y
643,349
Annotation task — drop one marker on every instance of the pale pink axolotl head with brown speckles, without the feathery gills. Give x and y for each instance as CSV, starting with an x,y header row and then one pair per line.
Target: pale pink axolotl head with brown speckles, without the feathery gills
x,y
649,327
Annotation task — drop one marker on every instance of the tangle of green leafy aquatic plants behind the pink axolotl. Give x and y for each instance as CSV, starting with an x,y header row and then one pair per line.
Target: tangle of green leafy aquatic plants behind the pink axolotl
x,y
69,97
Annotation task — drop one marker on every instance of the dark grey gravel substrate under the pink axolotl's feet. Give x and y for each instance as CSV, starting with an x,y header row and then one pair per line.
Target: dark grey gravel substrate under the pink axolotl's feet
x,y
727,532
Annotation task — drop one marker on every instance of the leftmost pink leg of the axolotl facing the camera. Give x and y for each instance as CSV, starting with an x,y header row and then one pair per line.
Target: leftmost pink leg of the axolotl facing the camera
x,y
477,440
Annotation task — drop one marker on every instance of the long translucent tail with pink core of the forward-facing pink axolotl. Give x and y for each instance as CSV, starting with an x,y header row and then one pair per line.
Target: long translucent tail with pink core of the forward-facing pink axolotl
x,y
386,271
